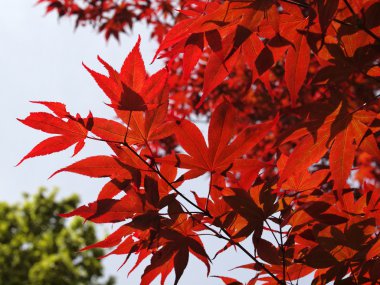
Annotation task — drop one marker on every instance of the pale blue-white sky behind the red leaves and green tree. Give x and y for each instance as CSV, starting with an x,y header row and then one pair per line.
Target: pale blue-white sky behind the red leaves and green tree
x,y
41,59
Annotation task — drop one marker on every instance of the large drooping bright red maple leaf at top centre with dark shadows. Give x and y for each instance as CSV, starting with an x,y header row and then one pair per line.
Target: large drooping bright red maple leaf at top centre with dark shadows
x,y
225,28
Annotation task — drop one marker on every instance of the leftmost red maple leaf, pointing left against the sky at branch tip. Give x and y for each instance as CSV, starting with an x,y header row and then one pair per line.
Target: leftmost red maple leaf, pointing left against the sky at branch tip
x,y
70,130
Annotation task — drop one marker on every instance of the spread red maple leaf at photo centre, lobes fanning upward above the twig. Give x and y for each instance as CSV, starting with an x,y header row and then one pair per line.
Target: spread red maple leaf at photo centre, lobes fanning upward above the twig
x,y
224,147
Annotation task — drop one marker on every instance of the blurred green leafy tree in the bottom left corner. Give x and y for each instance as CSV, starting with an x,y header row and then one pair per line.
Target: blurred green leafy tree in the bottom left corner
x,y
39,248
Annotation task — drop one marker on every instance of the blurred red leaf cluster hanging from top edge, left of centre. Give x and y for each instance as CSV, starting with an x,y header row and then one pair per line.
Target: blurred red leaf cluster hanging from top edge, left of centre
x,y
115,17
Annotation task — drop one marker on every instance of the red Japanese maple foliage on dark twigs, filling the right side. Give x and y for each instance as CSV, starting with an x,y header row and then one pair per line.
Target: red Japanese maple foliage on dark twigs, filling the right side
x,y
290,90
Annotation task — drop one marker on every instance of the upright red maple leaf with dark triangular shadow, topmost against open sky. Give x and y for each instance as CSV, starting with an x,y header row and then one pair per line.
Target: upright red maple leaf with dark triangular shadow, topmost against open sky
x,y
139,100
